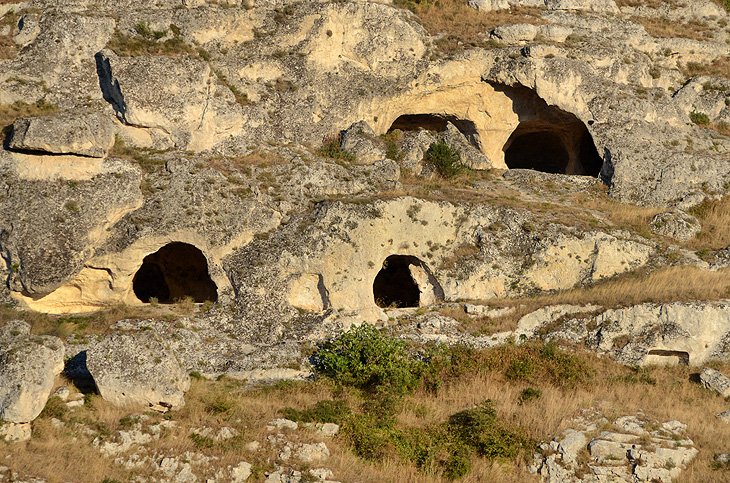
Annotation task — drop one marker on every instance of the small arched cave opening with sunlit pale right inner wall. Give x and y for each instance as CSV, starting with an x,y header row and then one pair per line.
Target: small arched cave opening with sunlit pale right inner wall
x,y
405,281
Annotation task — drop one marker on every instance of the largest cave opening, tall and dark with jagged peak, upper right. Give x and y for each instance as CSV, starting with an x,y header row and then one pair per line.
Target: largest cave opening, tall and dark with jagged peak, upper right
x,y
548,139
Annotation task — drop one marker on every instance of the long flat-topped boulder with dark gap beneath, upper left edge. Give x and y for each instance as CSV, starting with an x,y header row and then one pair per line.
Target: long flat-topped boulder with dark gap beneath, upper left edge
x,y
89,135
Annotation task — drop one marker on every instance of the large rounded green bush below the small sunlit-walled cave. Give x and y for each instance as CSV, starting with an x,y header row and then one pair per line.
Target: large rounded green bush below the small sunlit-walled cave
x,y
365,358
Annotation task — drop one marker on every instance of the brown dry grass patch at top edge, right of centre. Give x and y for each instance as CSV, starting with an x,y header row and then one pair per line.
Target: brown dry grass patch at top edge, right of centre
x,y
460,23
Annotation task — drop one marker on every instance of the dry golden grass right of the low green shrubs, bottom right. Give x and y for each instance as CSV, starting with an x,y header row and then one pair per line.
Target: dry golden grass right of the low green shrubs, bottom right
x,y
612,389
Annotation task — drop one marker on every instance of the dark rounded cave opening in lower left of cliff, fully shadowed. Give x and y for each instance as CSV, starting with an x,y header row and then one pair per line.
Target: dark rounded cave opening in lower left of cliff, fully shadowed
x,y
175,271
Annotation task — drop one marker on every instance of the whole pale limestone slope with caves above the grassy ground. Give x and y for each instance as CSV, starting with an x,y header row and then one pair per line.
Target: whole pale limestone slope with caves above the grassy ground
x,y
299,168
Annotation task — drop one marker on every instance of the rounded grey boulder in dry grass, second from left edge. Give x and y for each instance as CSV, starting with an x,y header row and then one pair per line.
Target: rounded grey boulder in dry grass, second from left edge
x,y
138,369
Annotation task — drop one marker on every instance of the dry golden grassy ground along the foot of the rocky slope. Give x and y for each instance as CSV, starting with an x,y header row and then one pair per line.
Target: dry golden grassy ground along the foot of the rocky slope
x,y
662,393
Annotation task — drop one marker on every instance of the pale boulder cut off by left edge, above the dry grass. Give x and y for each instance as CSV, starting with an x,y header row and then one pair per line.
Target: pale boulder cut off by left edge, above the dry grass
x,y
29,365
